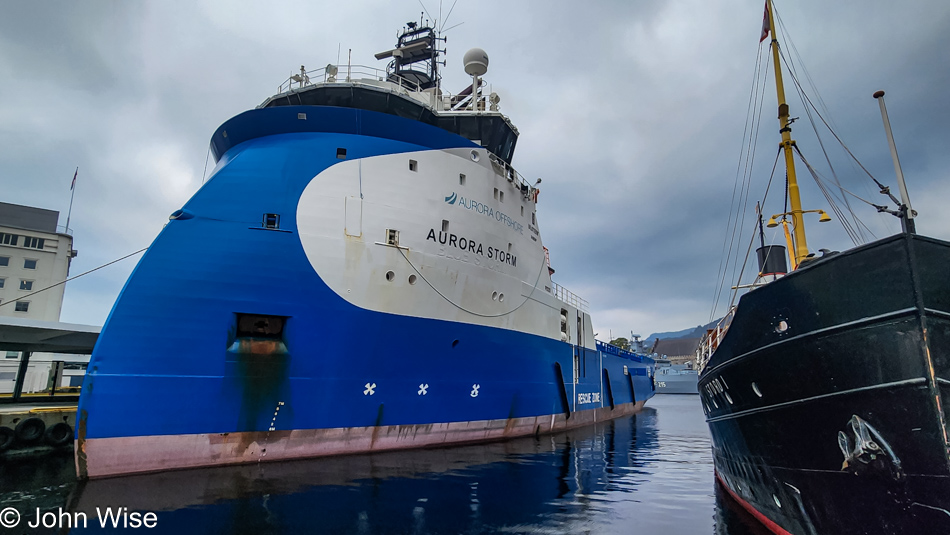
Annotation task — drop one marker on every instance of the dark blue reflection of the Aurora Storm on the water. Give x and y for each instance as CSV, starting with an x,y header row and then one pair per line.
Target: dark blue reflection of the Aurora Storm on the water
x,y
469,488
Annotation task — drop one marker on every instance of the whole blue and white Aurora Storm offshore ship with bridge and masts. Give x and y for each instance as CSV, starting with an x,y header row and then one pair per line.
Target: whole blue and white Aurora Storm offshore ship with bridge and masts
x,y
363,271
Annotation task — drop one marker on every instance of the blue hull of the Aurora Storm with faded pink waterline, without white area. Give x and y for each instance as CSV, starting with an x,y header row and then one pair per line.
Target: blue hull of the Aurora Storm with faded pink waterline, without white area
x,y
169,387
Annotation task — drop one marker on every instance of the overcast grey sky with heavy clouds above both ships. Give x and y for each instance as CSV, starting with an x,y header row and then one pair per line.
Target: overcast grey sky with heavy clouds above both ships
x,y
631,111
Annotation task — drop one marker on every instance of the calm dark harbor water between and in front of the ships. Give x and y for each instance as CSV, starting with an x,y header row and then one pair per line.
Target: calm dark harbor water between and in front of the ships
x,y
650,473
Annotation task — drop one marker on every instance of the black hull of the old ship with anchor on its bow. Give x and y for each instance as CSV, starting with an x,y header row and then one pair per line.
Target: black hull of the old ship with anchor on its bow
x,y
827,397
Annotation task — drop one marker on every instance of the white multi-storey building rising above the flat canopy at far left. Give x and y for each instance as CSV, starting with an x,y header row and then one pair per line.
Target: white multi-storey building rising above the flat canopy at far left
x,y
33,255
